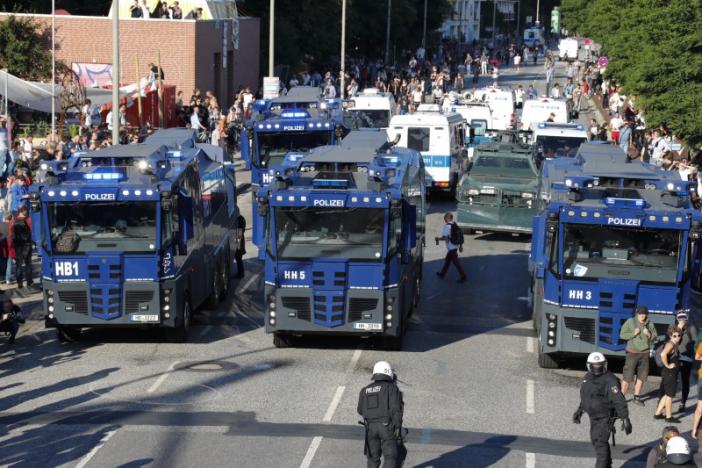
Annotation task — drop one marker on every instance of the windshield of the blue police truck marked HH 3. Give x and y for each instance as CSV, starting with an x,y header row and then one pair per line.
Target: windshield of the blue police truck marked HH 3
x,y
621,253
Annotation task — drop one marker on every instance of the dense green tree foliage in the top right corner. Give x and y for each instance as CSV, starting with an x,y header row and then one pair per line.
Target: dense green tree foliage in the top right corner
x,y
655,53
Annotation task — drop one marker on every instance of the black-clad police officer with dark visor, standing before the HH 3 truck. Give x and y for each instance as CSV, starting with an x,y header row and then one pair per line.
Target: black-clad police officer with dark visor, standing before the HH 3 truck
x,y
601,398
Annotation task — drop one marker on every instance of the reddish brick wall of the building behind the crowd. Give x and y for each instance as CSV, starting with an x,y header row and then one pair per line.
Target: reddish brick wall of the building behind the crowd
x,y
187,48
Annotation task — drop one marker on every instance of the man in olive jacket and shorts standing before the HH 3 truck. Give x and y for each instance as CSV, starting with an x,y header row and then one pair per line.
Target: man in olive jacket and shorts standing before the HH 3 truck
x,y
639,334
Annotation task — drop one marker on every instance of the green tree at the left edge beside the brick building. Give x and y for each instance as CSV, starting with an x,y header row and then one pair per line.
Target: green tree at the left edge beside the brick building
x,y
24,49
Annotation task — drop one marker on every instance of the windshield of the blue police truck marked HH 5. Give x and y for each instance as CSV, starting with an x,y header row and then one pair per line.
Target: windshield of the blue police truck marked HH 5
x,y
355,233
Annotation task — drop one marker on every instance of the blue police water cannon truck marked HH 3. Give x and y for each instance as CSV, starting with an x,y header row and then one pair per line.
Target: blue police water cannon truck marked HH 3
x,y
612,235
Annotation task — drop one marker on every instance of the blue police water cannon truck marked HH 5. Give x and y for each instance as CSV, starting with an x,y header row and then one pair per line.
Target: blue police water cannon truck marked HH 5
x,y
344,241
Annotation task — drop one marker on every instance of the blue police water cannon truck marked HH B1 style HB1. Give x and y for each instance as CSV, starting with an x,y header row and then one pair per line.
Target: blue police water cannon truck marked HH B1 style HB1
x,y
135,235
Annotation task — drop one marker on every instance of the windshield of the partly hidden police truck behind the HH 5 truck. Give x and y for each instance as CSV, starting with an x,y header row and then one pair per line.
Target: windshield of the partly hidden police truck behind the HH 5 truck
x,y
272,147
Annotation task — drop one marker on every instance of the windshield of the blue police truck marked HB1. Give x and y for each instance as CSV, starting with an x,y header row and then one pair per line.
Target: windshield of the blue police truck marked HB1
x,y
91,226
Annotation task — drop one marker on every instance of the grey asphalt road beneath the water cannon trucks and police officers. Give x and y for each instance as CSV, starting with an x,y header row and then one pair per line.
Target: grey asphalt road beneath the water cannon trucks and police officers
x,y
474,394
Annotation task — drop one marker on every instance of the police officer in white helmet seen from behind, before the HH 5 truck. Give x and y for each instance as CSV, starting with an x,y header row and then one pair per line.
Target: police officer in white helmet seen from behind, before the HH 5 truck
x,y
380,403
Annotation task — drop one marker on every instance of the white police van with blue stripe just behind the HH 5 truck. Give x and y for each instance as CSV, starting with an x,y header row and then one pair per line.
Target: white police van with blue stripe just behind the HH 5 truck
x,y
439,137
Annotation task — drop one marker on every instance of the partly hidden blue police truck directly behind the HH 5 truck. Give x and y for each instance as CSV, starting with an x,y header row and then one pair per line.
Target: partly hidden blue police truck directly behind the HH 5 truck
x,y
299,121
